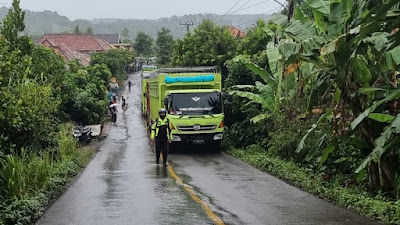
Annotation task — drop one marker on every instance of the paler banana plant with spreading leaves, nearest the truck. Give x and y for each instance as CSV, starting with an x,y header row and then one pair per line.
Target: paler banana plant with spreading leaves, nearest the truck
x,y
279,77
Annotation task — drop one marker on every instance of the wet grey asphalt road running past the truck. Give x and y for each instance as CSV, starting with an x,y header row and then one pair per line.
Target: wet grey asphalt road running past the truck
x,y
123,185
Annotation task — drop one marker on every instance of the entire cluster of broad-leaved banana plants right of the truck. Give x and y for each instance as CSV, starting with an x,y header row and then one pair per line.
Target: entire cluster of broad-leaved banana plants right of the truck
x,y
352,47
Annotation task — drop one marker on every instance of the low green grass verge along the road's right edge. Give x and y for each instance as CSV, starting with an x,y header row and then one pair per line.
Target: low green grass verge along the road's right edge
x,y
352,197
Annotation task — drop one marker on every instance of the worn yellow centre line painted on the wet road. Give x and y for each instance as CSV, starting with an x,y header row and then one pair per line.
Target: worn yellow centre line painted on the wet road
x,y
203,204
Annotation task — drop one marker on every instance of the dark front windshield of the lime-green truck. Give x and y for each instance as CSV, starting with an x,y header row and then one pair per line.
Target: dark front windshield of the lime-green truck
x,y
196,103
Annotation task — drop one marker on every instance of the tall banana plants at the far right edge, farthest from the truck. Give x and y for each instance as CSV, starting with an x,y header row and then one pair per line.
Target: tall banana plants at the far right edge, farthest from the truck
x,y
359,54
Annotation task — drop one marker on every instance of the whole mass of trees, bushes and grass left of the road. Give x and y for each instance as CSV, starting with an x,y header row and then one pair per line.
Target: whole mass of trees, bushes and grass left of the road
x,y
40,99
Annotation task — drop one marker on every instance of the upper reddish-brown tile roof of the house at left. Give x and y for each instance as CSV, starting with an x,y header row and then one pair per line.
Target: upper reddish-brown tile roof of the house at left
x,y
77,42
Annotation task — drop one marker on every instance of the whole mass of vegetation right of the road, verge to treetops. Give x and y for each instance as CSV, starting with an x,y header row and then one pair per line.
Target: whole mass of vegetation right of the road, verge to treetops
x,y
316,98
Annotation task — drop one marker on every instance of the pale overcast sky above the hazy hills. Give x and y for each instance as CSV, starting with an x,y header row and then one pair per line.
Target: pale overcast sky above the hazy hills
x,y
146,9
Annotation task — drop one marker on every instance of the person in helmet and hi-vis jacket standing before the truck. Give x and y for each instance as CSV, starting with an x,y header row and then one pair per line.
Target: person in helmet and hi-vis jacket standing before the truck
x,y
161,135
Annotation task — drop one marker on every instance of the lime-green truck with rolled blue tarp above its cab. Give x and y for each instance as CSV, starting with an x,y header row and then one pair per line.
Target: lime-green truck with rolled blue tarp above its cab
x,y
193,100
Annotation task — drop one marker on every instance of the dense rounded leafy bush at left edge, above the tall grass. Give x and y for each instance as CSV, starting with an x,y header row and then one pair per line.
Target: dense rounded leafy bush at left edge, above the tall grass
x,y
27,116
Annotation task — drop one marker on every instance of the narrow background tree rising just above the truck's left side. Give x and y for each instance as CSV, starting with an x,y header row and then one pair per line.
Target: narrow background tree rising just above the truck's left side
x,y
164,46
